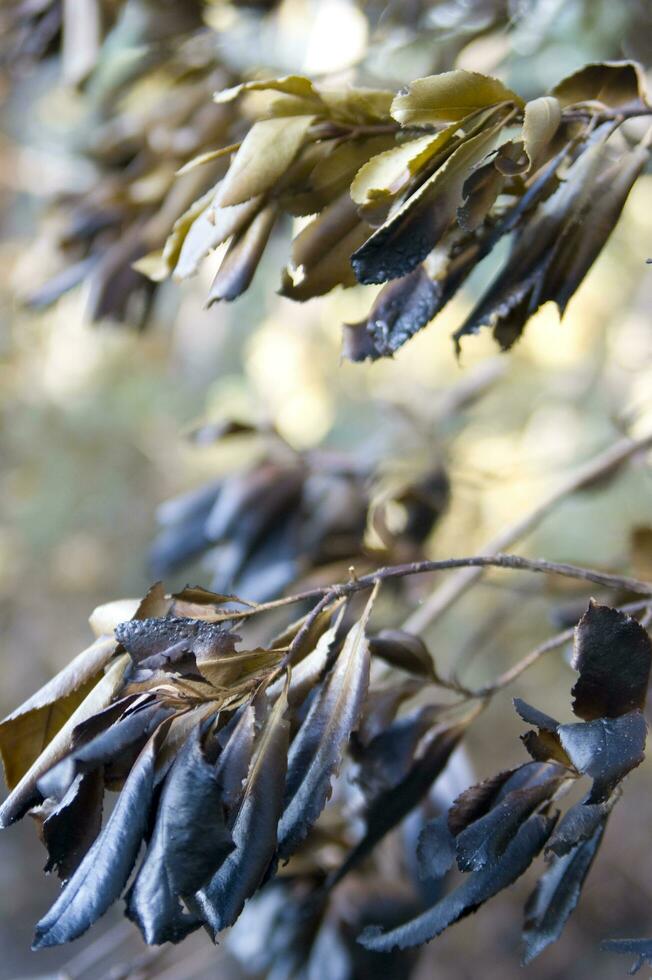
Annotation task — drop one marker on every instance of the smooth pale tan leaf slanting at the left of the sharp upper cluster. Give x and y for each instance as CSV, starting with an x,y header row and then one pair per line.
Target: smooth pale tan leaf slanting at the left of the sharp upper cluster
x,y
266,152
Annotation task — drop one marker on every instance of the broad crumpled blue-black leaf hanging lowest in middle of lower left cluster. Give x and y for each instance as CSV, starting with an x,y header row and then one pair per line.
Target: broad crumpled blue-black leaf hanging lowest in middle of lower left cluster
x,y
189,843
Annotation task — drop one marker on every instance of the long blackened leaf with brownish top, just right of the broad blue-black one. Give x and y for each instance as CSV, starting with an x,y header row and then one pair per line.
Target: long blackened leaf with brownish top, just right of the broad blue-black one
x,y
254,830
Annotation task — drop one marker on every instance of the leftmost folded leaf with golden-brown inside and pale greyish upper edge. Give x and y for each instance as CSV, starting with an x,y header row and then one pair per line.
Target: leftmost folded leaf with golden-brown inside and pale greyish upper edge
x,y
25,733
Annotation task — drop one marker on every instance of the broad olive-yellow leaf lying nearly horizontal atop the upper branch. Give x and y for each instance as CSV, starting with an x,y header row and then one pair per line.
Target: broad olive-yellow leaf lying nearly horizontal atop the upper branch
x,y
449,97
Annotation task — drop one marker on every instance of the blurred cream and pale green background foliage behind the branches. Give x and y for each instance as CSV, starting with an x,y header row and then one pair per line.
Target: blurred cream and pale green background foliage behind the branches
x,y
94,418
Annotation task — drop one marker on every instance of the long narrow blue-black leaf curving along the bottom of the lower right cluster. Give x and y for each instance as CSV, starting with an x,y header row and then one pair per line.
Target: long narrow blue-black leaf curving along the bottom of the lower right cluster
x,y
470,895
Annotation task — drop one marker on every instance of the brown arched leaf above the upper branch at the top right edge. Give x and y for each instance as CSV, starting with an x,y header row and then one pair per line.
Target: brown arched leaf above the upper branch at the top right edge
x,y
616,84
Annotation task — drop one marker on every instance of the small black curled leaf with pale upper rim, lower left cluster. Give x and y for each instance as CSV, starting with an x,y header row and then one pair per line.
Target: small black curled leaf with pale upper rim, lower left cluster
x,y
71,827
